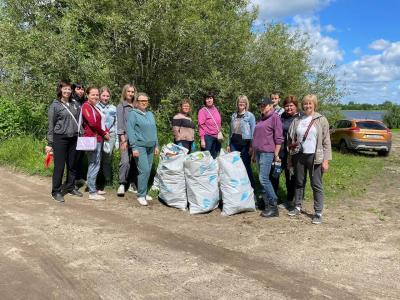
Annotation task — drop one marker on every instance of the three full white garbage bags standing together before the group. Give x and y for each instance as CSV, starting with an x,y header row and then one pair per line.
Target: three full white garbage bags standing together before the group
x,y
198,181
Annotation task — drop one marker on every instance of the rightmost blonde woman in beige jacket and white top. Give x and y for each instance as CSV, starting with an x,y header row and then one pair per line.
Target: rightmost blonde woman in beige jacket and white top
x,y
309,150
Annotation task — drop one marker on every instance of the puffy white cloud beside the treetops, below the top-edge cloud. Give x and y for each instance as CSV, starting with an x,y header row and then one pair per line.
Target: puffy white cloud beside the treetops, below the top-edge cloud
x,y
323,48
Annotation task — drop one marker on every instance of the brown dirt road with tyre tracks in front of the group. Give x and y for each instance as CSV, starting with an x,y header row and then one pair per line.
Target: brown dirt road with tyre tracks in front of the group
x,y
119,250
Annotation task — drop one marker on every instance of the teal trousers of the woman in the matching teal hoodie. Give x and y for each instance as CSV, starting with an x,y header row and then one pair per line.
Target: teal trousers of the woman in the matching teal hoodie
x,y
144,162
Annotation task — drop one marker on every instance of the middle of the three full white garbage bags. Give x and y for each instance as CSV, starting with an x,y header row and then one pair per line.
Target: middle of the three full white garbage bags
x,y
201,172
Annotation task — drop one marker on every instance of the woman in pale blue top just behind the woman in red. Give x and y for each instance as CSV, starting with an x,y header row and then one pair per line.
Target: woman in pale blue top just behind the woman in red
x,y
110,117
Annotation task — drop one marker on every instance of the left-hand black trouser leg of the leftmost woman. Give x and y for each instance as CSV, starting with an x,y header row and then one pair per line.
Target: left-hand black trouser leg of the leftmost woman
x,y
60,147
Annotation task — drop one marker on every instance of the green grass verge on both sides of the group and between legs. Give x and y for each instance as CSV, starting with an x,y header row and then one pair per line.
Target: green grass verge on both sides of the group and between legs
x,y
348,176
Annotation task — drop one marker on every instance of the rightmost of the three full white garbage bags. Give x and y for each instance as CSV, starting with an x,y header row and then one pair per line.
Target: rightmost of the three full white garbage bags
x,y
237,193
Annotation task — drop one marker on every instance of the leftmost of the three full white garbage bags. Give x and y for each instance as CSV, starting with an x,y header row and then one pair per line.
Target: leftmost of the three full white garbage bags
x,y
170,177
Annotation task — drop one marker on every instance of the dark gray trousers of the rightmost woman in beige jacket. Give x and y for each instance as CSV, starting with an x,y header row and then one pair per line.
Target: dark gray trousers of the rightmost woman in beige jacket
x,y
304,163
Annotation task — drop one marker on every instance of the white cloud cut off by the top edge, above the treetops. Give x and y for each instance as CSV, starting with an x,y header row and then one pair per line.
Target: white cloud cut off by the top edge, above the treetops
x,y
275,9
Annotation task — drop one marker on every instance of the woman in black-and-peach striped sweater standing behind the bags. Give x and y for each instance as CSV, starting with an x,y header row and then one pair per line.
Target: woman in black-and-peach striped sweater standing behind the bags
x,y
183,126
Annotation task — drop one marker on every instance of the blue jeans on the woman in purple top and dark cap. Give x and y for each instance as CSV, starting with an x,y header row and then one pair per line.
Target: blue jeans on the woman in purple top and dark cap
x,y
264,163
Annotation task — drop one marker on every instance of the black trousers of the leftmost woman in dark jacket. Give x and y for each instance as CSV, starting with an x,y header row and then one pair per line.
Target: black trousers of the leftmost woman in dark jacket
x,y
64,152
